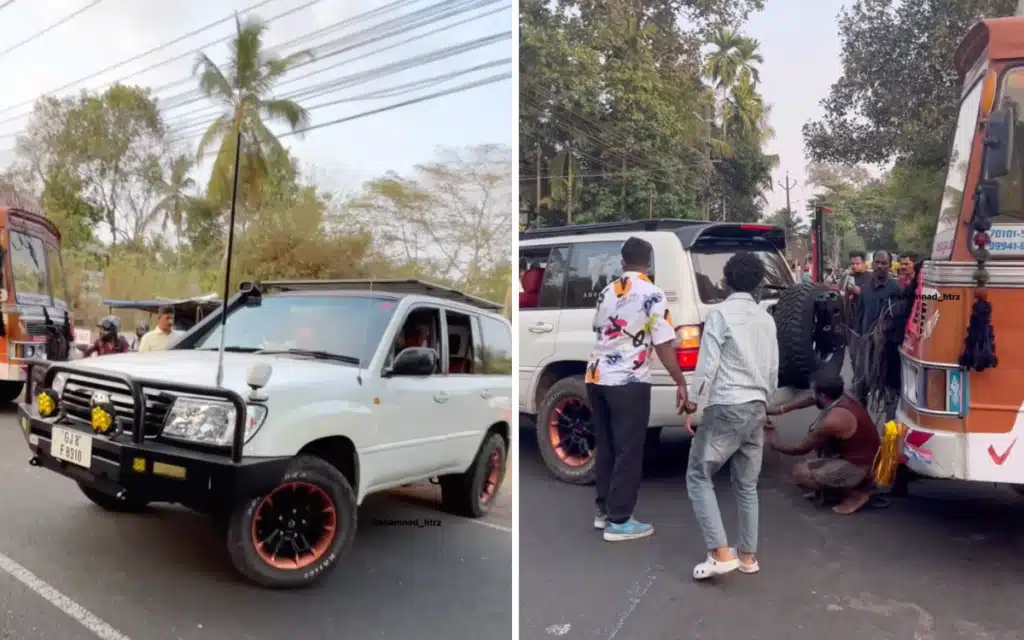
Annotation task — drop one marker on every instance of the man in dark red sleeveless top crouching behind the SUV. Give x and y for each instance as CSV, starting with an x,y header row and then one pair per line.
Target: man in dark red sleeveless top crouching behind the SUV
x,y
844,438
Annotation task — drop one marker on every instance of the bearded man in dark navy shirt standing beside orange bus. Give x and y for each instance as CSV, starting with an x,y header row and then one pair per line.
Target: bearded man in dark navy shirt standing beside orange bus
x,y
873,302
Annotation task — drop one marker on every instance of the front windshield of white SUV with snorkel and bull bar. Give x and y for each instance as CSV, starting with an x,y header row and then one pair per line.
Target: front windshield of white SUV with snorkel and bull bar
x,y
350,326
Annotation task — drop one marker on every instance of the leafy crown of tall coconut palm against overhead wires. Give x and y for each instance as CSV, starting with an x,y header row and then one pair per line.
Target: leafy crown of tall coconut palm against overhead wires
x,y
244,89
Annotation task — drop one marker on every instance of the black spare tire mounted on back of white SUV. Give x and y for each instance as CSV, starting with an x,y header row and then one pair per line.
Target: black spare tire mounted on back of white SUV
x,y
795,320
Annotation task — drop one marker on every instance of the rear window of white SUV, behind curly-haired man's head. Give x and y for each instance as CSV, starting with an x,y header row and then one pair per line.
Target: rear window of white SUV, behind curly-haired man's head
x,y
709,265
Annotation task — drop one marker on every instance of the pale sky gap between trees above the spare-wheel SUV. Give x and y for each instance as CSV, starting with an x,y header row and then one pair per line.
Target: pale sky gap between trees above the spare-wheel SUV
x,y
801,48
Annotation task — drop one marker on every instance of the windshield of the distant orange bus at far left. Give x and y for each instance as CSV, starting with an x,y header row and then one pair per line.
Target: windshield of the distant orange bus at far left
x,y
36,270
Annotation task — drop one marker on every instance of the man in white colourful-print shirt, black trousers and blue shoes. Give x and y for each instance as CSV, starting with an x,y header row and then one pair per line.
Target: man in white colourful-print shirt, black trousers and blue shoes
x,y
631,323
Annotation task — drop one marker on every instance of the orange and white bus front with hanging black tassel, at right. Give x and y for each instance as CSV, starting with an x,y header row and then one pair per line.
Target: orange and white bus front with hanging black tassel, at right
x,y
963,358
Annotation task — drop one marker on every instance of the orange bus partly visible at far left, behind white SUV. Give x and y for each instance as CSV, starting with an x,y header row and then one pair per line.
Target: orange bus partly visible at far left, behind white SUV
x,y
35,320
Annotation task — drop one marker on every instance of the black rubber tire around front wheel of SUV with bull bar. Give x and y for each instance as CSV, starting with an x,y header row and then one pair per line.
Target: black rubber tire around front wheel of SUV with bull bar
x,y
243,552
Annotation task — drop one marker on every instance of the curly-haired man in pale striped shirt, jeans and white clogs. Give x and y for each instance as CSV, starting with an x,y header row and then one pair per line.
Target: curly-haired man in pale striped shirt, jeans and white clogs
x,y
738,374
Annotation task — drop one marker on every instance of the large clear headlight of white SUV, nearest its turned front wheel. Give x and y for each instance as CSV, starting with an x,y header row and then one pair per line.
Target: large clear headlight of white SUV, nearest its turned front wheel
x,y
210,422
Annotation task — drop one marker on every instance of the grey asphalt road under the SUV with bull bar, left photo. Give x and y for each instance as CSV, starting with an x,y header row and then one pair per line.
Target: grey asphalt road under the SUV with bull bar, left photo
x,y
71,572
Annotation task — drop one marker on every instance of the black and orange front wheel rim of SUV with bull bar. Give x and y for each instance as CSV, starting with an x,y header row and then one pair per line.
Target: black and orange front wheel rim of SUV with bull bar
x,y
294,526
